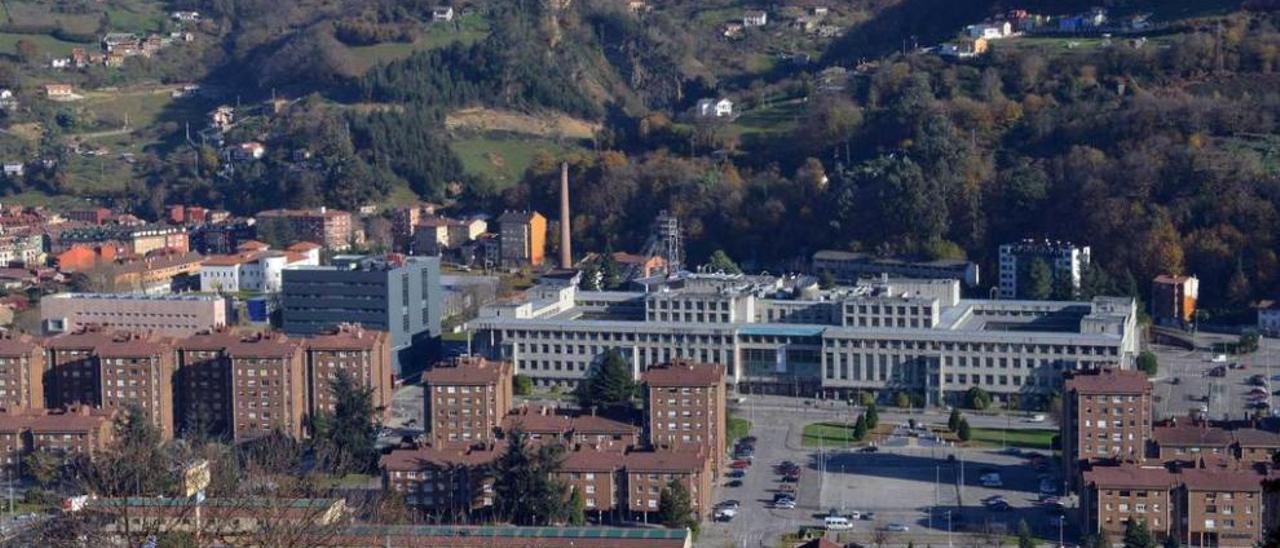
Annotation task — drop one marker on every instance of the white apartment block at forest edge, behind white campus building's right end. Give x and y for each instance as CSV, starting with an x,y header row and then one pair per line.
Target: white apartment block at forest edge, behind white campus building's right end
x,y
1066,261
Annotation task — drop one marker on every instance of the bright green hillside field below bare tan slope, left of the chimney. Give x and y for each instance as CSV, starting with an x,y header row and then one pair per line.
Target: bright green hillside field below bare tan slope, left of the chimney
x,y
502,159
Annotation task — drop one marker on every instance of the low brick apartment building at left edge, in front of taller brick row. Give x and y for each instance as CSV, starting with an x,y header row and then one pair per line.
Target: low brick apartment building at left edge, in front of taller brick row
x,y
75,431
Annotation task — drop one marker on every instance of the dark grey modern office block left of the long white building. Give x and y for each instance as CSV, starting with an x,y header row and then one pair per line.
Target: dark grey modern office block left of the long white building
x,y
395,294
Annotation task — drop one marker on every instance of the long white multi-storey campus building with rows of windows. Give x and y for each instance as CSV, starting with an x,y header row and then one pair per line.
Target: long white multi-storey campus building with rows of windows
x,y
788,336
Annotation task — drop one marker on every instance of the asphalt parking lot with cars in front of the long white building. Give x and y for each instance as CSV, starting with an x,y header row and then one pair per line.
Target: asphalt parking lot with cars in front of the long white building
x,y
907,482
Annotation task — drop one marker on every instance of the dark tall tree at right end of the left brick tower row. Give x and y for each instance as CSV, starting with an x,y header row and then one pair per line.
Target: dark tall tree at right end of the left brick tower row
x,y
349,446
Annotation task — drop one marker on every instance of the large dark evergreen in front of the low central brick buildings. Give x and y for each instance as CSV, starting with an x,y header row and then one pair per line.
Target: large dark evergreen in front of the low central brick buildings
x,y
525,487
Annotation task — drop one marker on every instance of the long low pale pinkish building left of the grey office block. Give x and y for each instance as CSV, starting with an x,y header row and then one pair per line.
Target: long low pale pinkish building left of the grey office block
x,y
179,316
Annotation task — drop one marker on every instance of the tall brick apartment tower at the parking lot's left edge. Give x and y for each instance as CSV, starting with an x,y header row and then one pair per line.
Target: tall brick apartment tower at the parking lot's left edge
x,y
685,409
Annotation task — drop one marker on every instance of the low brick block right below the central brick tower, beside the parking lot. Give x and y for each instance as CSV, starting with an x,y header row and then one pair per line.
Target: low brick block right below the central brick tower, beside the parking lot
x,y
650,472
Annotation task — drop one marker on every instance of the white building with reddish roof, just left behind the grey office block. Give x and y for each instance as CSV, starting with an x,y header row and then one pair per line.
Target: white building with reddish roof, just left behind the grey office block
x,y
252,271
